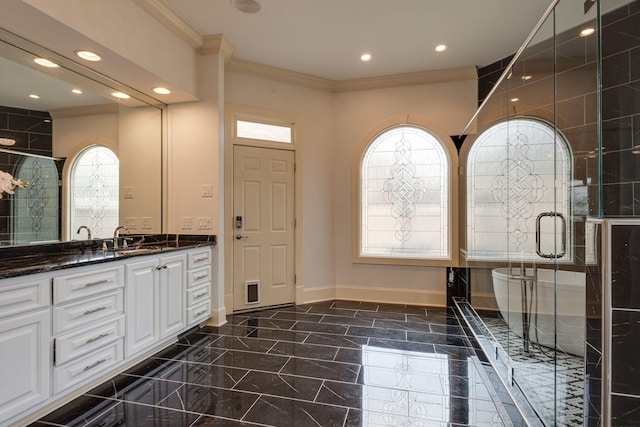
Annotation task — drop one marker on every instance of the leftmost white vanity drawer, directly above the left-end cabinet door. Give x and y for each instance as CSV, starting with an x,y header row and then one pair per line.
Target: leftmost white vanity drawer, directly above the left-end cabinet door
x,y
25,296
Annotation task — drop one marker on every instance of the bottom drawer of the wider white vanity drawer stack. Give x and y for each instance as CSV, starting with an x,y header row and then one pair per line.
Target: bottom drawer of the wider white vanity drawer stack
x,y
82,369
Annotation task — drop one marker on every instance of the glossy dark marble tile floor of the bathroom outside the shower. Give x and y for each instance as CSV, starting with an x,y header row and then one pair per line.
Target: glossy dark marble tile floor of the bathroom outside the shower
x,y
333,363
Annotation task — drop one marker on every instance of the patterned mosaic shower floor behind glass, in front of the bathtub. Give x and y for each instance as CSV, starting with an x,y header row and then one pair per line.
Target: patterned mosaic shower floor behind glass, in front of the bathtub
x,y
552,380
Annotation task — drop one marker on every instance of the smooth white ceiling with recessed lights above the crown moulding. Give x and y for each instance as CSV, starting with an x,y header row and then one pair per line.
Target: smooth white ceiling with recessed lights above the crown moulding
x,y
325,38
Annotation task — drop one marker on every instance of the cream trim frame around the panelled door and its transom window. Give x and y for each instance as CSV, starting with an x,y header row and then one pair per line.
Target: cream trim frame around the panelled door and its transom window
x,y
232,113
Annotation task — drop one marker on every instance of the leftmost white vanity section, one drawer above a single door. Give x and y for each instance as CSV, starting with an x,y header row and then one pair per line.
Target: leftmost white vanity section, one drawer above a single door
x,y
25,350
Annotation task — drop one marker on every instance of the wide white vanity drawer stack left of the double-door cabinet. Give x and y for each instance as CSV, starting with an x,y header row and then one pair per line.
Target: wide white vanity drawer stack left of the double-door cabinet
x,y
88,323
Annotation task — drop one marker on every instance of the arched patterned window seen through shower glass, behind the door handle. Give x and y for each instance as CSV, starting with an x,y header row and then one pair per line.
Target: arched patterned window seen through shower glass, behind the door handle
x,y
517,169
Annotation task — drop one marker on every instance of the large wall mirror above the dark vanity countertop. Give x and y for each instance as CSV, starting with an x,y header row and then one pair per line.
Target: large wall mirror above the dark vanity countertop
x,y
88,158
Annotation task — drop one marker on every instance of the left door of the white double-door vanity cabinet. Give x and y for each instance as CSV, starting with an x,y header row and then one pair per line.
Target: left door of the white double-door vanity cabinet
x,y
141,305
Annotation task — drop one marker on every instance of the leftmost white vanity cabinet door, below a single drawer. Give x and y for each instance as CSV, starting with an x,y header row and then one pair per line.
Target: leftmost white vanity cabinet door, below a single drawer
x,y
26,362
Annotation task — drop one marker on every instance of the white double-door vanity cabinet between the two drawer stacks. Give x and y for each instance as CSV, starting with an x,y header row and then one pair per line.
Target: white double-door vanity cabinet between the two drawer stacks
x,y
155,306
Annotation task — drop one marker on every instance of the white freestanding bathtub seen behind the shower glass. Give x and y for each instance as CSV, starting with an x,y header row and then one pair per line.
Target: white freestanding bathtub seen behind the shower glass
x,y
570,307
